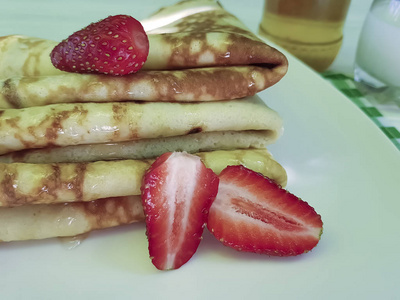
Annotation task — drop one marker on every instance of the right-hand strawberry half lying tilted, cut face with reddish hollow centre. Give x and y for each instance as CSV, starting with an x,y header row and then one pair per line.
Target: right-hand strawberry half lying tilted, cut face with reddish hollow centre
x,y
252,213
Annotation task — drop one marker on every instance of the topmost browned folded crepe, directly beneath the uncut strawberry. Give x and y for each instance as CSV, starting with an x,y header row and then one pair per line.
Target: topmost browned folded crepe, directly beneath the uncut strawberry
x,y
206,56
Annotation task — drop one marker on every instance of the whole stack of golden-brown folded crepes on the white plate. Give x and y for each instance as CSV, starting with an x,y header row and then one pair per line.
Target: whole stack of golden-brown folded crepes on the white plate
x,y
74,147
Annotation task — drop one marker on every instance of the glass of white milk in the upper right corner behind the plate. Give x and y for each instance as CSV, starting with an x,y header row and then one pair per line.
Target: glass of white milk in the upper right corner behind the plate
x,y
378,52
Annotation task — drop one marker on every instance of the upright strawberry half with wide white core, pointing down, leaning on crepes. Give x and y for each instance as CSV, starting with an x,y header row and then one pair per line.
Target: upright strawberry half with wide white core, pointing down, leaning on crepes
x,y
177,192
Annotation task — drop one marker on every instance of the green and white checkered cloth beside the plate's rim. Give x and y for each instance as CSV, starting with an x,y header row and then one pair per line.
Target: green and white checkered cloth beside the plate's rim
x,y
386,115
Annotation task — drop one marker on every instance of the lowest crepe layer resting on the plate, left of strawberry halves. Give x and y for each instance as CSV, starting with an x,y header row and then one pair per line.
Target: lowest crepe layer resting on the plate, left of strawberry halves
x,y
32,222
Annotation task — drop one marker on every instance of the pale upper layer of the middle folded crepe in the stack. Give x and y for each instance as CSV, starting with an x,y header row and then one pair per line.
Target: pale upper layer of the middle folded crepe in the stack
x,y
93,123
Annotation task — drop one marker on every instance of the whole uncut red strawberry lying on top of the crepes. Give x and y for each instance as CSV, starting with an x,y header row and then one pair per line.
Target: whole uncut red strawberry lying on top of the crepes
x,y
117,45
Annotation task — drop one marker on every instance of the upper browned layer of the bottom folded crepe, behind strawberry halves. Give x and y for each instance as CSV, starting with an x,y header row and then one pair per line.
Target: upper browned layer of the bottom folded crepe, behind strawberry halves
x,y
24,184
